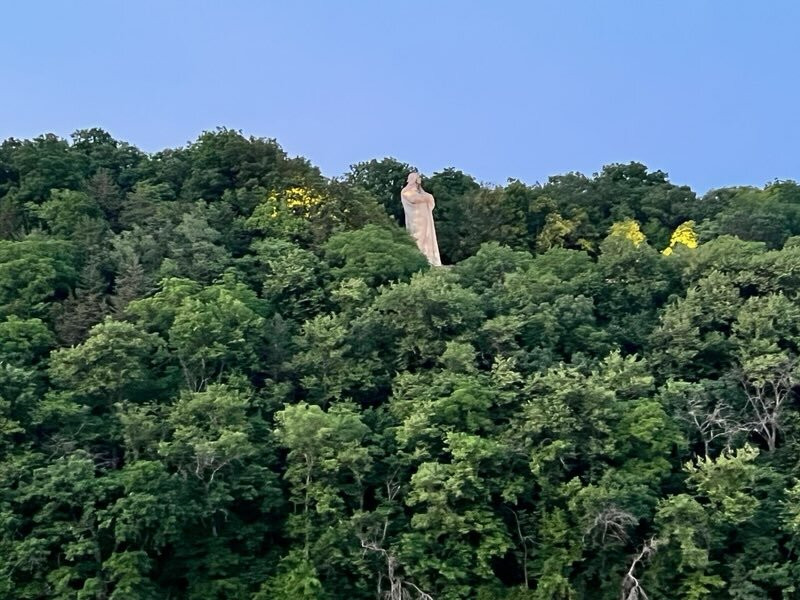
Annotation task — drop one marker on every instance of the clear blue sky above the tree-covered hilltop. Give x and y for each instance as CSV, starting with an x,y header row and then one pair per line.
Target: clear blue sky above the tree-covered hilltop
x,y
708,91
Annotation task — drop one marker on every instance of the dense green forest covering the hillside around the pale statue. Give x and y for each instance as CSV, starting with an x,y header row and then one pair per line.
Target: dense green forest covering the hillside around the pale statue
x,y
225,376
